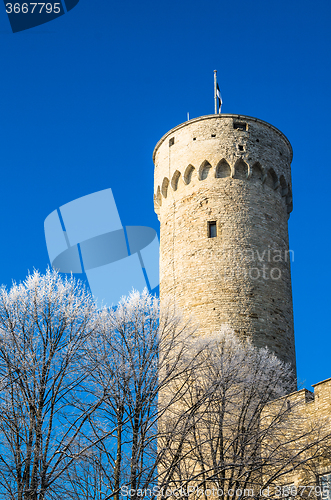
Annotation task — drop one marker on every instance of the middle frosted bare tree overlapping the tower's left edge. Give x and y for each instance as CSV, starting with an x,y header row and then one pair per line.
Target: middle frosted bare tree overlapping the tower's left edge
x,y
137,353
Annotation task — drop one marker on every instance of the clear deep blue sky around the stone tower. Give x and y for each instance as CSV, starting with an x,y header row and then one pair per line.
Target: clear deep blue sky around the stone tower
x,y
85,98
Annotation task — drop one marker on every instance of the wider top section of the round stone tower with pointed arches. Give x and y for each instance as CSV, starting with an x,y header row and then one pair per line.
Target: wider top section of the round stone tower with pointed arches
x,y
220,146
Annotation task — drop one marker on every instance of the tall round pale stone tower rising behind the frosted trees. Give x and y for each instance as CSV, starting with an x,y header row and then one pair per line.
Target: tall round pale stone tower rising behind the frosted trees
x,y
223,197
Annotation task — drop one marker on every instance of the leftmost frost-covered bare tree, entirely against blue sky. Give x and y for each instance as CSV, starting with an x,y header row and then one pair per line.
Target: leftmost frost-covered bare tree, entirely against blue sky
x,y
44,325
